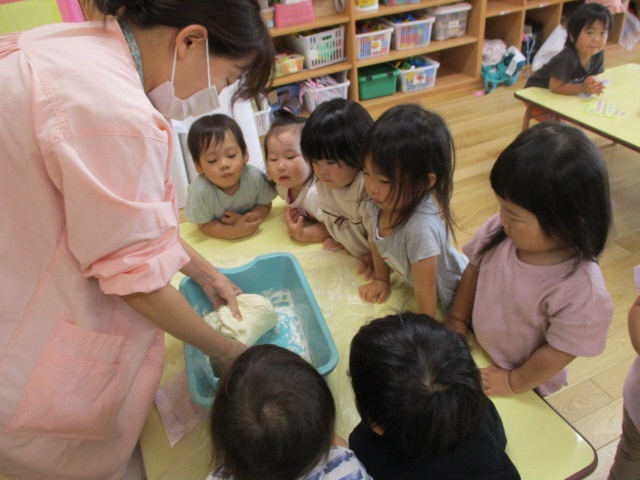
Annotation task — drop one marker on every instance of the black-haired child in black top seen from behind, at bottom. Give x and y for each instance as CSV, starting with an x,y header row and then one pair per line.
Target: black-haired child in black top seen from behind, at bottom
x,y
424,414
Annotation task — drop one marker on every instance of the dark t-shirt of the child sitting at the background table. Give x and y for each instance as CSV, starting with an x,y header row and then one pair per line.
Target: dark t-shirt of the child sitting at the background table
x,y
567,67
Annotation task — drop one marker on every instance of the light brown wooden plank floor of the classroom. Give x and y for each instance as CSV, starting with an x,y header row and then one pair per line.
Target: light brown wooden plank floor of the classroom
x,y
482,127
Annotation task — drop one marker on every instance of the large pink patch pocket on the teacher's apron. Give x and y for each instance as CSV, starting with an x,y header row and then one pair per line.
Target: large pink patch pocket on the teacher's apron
x,y
76,388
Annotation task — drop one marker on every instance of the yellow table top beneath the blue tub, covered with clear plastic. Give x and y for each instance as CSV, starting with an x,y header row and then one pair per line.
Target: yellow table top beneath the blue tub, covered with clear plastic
x,y
540,442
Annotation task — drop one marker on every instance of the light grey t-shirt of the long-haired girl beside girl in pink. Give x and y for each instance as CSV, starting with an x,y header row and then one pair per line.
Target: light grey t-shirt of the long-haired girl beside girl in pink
x,y
422,236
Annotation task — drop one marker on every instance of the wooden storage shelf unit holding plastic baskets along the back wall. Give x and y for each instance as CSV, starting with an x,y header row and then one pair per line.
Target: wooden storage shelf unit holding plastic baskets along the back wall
x,y
460,58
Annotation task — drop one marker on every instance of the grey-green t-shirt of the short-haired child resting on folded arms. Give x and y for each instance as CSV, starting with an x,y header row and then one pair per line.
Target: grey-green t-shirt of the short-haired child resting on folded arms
x,y
206,202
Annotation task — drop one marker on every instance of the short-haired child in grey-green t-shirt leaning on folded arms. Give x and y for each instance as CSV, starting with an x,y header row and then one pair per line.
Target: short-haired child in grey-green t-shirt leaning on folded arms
x,y
229,198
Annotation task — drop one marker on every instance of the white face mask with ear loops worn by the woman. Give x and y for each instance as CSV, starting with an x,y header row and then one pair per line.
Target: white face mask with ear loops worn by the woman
x,y
164,97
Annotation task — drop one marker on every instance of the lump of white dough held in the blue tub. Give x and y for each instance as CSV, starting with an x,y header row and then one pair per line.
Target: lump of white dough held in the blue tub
x,y
258,317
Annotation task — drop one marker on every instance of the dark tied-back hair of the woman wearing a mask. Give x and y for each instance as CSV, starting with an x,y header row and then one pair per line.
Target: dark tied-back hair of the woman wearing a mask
x,y
236,30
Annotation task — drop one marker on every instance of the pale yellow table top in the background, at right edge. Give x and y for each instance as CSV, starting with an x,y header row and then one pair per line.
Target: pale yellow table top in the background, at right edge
x,y
621,92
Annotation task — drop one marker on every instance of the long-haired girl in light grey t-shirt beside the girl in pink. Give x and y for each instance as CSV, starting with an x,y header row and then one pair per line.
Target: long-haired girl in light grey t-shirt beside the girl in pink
x,y
408,174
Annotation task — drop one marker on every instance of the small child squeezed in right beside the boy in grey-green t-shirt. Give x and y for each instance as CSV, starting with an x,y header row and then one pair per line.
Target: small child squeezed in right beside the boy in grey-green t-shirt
x,y
292,175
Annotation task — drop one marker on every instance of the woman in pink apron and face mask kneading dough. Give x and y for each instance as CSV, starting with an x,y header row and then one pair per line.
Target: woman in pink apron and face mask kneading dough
x,y
89,238
